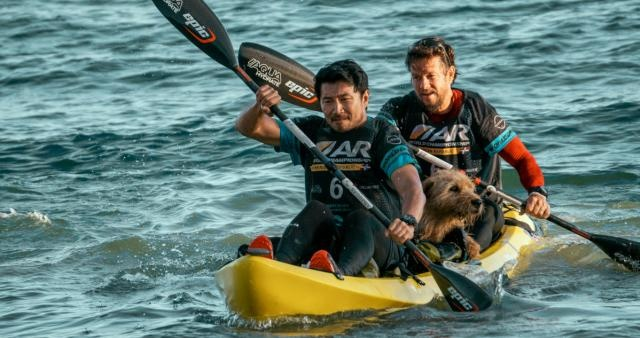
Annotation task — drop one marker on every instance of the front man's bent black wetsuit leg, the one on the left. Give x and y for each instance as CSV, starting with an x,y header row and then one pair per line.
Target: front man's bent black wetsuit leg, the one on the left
x,y
311,230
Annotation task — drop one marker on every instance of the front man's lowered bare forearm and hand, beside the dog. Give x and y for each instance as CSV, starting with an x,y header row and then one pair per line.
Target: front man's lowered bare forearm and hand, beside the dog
x,y
407,183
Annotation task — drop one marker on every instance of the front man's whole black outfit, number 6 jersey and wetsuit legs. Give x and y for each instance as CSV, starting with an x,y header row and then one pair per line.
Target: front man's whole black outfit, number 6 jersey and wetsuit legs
x,y
333,219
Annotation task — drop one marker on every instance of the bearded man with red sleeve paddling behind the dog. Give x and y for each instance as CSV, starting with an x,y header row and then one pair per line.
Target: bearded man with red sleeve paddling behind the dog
x,y
462,128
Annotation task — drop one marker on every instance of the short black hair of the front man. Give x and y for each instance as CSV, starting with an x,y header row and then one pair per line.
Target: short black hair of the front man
x,y
343,70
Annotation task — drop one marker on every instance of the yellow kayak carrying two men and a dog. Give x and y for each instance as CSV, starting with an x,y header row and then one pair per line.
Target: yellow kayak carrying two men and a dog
x,y
260,288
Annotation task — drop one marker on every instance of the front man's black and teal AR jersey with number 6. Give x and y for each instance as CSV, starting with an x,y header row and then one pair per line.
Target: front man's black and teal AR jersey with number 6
x,y
368,156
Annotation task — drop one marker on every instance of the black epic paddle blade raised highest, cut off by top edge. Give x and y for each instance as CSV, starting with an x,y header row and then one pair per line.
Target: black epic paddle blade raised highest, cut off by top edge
x,y
198,23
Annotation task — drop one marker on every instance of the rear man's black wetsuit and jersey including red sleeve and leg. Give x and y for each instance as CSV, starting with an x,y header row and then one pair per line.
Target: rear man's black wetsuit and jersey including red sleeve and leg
x,y
469,136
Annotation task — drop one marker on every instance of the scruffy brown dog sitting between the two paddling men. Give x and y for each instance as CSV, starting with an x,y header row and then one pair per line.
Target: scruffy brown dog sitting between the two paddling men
x,y
451,203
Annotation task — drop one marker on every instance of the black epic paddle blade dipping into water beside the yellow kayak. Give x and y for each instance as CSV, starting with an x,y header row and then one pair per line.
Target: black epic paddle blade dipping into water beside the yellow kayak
x,y
462,294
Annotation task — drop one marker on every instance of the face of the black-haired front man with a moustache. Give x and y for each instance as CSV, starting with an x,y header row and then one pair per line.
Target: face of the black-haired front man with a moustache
x,y
344,109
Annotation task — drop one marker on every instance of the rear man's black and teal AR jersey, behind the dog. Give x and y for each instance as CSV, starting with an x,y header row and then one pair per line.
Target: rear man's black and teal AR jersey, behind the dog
x,y
470,141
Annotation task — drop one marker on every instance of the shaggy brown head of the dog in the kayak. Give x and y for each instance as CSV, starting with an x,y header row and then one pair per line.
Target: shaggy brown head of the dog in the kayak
x,y
451,194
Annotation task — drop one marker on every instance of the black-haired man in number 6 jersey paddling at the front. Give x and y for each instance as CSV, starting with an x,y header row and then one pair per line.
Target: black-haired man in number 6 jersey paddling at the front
x,y
369,151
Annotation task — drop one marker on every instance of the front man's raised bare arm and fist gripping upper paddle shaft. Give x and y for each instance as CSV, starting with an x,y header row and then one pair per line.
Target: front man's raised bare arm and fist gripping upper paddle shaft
x,y
256,121
